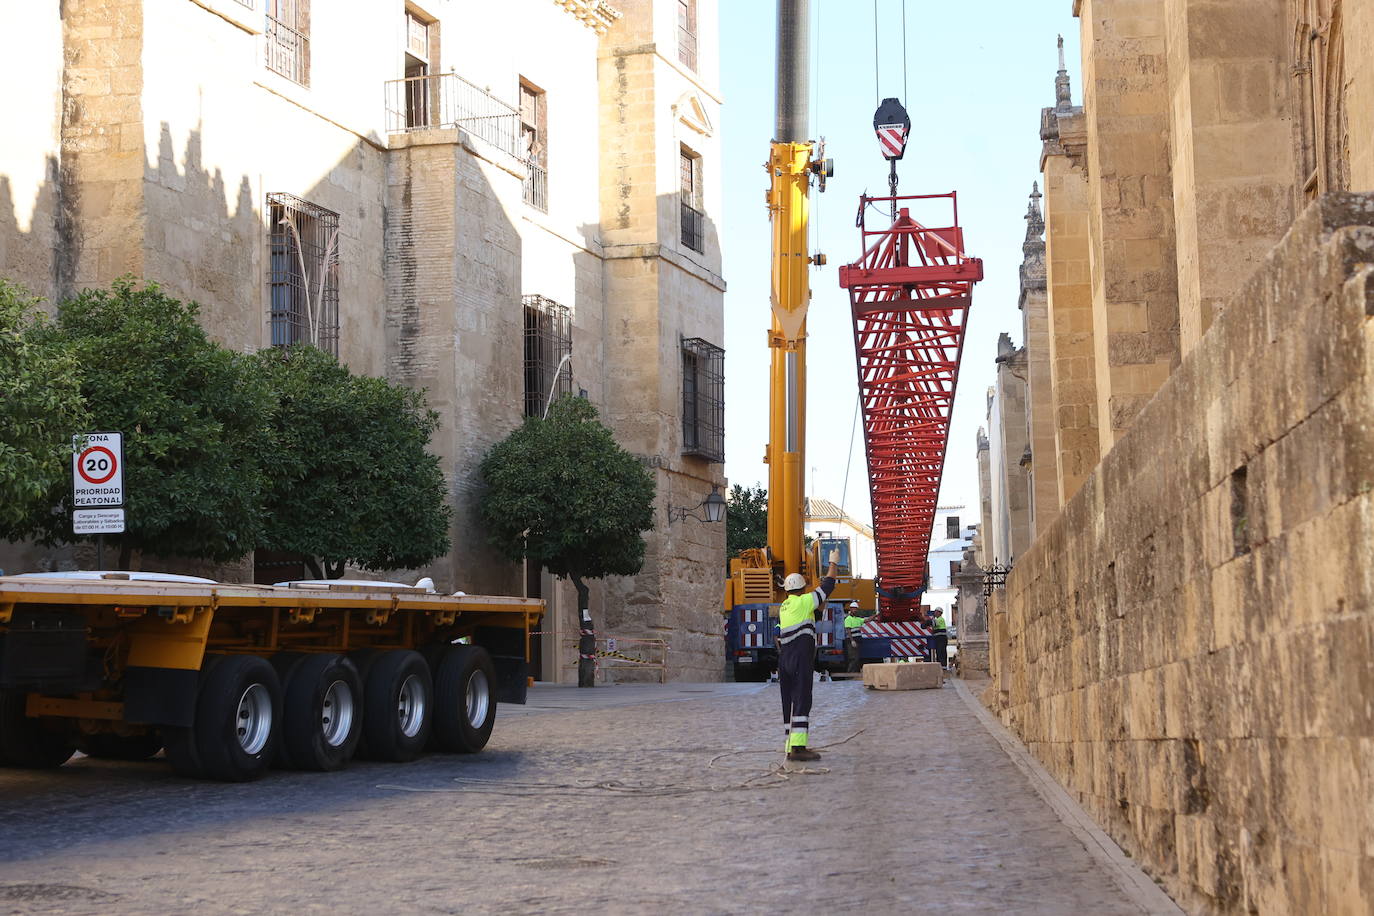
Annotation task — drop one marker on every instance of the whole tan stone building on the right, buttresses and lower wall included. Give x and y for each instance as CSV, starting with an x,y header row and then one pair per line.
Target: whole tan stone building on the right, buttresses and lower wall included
x,y
1186,642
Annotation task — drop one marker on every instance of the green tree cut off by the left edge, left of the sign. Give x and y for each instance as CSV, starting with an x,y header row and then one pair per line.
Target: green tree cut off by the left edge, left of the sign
x,y
41,410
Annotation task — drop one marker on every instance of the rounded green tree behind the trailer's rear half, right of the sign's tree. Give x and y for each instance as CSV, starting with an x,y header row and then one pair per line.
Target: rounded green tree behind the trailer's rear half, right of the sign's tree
x,y
350,477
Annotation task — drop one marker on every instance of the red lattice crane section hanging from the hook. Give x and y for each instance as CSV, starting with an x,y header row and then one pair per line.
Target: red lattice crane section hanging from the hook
x,y
910,295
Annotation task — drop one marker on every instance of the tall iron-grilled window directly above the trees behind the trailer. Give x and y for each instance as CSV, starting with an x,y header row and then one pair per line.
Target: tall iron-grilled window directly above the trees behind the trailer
x,y
303,273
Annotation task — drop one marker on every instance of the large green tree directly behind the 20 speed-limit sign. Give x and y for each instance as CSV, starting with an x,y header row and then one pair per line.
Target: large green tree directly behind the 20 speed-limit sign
x,y
193,415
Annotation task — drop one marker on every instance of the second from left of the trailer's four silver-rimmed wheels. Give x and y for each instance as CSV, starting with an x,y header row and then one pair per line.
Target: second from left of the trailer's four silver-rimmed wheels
x,y
324,715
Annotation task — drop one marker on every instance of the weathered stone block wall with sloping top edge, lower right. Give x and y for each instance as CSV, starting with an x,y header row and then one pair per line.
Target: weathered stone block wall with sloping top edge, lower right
x,y
1188,649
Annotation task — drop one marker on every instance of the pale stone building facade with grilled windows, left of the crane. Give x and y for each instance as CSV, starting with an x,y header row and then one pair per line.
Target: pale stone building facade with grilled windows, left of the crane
x,y
493,203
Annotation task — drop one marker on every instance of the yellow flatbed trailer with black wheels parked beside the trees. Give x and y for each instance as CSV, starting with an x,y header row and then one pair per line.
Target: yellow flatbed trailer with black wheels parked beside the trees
x,y
234,679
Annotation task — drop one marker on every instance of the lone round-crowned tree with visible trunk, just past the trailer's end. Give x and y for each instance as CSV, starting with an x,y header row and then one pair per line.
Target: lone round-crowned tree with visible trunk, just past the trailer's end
x,y
563,494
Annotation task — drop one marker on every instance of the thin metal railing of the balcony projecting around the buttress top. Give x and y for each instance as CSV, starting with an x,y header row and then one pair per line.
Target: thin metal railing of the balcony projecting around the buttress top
x,y
449,101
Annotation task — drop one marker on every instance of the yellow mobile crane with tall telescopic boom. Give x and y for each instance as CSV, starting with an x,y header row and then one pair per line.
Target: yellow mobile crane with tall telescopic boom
x,y
795,163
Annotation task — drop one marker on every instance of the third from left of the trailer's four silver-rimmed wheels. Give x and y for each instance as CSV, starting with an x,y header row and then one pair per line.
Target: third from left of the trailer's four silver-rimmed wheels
x,y
398,707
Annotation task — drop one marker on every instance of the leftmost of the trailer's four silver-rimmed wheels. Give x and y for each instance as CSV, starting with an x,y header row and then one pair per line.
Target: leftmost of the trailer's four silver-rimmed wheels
x,y
238,716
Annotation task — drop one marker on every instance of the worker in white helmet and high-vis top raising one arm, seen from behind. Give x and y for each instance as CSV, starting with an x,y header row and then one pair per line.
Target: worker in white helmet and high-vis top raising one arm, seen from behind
x,y
798,619
